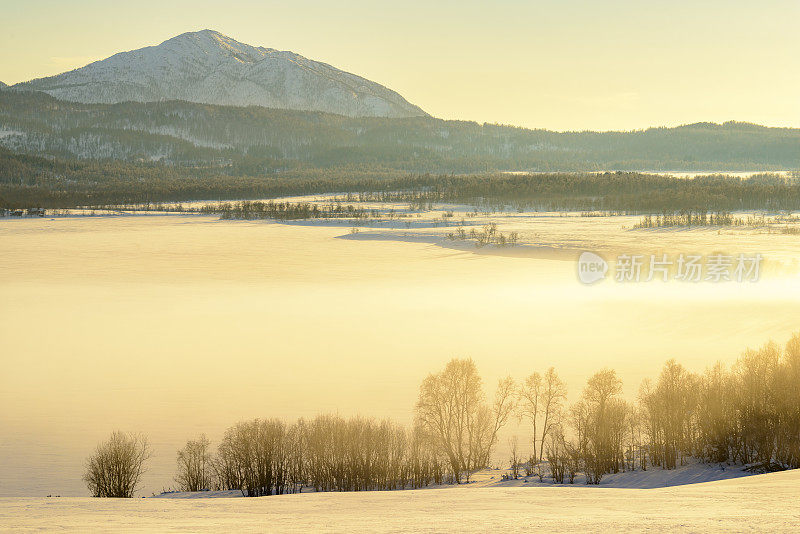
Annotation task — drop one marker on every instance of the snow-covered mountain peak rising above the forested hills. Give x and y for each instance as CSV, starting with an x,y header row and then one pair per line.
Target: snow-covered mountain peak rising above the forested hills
x,y
211,68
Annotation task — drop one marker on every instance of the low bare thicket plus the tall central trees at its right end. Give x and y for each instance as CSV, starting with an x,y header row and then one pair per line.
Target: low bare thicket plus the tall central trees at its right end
x,y
454,433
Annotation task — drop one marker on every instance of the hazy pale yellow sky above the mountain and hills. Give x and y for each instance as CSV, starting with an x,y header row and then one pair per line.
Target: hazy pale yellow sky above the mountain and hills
x,y
565,64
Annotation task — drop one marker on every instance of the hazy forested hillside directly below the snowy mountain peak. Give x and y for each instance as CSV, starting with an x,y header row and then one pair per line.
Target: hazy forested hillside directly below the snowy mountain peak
x,y
255,141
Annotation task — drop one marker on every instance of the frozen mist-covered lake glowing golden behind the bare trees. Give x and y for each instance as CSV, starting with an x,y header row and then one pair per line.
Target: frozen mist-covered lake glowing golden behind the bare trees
x,y
175,325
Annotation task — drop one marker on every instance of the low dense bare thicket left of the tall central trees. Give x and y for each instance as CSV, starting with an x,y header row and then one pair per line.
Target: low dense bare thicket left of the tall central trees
x,y
328,453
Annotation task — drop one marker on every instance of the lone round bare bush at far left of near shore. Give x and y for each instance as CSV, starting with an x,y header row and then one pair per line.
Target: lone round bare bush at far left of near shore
x,y
117,465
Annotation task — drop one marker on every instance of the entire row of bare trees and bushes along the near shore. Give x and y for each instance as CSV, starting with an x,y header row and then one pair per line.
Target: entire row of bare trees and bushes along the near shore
x,y
748,415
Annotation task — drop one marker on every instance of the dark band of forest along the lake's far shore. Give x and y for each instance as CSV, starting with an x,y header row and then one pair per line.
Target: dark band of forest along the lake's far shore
x,y
31,181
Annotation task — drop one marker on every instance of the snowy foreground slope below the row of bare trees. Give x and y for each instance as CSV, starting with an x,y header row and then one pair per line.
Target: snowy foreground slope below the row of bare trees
x,y
754,503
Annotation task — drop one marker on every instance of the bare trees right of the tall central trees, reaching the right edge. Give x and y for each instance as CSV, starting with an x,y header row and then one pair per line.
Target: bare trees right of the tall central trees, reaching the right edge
x,y
748,415
